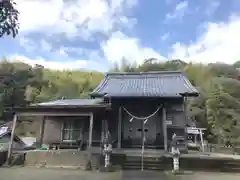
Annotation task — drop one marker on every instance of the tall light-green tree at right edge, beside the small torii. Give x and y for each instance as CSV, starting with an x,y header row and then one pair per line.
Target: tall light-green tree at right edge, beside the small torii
x,y
222,114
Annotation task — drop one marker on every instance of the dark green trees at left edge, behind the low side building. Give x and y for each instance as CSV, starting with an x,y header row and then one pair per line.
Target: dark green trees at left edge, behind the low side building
x,y
16,79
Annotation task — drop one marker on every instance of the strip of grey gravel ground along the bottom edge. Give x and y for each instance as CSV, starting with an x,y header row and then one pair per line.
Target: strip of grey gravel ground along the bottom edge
x,y
25,173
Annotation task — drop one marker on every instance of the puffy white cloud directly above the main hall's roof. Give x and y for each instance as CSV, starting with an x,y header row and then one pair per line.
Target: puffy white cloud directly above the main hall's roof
x,y
119,47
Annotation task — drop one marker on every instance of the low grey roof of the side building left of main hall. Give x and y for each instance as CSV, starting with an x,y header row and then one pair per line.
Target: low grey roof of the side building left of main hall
x,y
71,102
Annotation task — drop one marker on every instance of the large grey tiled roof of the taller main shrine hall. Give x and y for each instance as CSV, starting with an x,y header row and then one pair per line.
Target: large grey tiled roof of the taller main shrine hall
x,y
145,84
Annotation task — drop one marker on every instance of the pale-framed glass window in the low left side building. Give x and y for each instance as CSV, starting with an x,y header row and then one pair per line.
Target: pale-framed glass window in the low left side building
x,y
72,129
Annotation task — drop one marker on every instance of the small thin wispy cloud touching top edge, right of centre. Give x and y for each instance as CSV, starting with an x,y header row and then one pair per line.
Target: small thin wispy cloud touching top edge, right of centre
x,y
178,12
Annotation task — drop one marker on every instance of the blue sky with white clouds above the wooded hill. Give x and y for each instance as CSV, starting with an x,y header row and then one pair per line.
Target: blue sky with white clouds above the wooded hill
x,y
95,34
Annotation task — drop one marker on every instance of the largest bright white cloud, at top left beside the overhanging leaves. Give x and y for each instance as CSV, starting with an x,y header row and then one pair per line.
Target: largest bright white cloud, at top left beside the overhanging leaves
x,y
73,18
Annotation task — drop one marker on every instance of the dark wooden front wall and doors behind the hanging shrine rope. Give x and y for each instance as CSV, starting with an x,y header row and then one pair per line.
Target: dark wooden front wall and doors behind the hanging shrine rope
x,y
143,107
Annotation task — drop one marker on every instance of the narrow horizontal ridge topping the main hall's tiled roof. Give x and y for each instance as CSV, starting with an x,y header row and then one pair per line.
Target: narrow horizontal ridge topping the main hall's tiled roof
x,y
144,73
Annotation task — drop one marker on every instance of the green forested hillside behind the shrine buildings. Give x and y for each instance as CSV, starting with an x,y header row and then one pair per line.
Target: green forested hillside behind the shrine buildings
x,y
217,108
